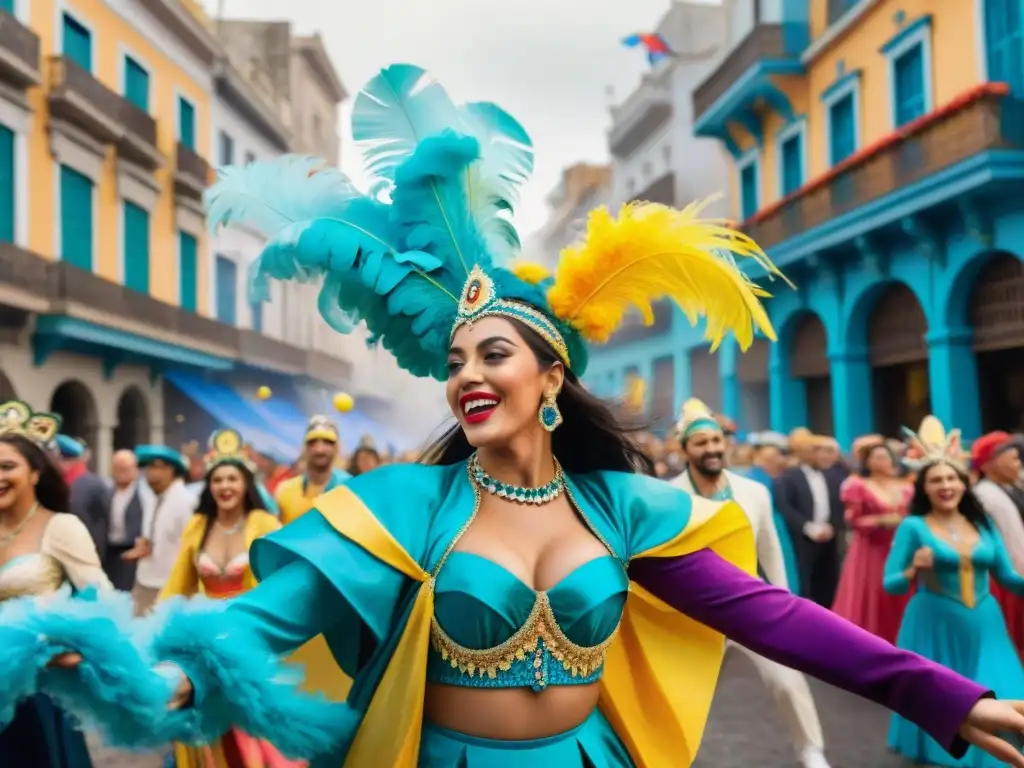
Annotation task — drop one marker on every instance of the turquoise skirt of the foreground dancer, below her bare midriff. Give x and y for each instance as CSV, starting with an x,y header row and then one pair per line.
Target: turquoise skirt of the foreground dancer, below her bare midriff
x,y
590,745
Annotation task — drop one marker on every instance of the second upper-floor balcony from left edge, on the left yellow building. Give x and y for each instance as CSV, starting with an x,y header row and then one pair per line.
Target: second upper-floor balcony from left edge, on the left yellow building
x,y
77,98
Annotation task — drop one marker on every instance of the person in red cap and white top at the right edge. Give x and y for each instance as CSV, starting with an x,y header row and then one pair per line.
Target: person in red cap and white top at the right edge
x,y
997,457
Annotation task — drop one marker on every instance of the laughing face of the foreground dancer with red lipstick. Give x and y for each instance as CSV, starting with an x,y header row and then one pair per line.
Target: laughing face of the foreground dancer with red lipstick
x,y
496,385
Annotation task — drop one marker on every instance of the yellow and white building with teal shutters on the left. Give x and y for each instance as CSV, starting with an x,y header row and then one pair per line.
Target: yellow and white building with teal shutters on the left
x,y
107,278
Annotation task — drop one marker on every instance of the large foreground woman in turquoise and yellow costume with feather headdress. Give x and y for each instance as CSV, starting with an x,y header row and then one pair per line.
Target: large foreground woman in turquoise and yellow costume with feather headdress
x,y
525,596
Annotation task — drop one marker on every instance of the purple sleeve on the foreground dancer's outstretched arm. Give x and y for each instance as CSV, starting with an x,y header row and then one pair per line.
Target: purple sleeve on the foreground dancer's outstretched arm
x,y
804,636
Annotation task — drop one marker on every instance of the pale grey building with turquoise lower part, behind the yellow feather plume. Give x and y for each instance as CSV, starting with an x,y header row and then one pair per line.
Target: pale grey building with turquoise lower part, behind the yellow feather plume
x,y
657,157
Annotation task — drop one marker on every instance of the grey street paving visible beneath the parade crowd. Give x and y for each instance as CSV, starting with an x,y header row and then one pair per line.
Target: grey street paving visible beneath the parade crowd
x,y
745,730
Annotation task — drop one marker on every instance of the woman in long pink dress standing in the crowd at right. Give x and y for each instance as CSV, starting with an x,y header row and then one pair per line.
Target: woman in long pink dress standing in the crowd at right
x,y
876,503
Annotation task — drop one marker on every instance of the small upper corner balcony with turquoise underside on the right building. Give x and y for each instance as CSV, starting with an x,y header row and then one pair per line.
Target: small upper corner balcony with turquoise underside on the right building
x,y
744,81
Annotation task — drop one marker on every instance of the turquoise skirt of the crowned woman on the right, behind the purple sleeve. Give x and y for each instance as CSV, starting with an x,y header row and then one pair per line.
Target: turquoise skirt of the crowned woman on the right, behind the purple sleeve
x,y
971,642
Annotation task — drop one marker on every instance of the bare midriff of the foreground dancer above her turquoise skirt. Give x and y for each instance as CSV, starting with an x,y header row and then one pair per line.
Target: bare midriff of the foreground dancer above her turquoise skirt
x,y
510,714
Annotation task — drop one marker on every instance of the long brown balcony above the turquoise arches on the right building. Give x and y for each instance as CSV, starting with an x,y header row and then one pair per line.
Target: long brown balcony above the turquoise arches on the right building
x,y
980,122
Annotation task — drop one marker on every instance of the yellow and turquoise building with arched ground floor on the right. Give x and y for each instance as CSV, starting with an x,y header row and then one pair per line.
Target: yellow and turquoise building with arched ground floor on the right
x,y
877,153
